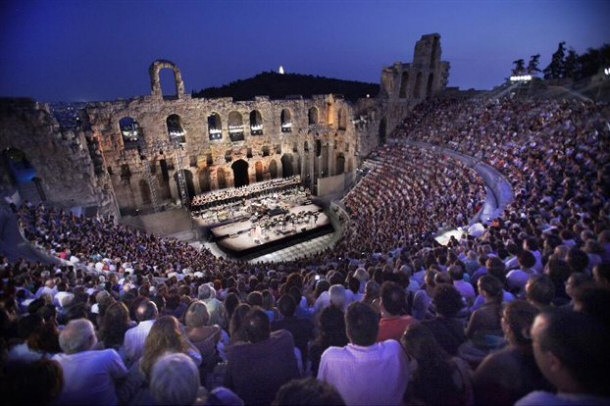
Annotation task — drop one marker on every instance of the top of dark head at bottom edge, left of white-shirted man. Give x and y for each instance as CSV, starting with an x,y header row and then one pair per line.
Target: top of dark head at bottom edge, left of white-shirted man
x,y
307,391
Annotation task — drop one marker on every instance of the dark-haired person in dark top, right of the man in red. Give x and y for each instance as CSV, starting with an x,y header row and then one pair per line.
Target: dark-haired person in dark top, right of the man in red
x,y
446,327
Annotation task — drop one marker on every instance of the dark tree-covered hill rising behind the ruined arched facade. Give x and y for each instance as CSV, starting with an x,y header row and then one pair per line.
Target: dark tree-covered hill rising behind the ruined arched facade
x,y
279,86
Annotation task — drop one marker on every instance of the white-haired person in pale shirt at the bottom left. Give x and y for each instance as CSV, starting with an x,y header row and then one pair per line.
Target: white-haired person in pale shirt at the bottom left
x,y
90,376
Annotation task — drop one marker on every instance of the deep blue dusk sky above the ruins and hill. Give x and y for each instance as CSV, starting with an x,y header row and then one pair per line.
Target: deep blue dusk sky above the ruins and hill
x,y
88,50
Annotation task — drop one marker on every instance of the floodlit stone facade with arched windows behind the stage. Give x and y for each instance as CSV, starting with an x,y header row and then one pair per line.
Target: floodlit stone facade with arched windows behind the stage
x,y
206,158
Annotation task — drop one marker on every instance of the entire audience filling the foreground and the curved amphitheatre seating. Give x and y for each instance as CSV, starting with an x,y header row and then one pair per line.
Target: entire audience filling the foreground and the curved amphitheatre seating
x,y
517,315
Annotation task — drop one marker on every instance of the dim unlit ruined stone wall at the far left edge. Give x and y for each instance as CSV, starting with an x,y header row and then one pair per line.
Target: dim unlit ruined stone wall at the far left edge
x,y
62,158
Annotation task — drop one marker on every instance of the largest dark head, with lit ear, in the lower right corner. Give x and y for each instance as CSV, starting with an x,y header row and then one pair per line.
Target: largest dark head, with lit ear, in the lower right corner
x,y
571,351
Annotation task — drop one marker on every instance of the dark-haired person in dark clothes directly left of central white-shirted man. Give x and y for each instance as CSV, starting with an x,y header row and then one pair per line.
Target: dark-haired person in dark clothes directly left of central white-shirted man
x,y
330,332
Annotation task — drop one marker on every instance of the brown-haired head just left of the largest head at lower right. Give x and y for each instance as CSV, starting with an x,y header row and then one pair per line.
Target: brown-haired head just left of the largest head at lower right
x,y
517,320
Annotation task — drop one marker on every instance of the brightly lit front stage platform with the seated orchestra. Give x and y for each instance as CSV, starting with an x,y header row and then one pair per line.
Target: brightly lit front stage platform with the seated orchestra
x,y
249,239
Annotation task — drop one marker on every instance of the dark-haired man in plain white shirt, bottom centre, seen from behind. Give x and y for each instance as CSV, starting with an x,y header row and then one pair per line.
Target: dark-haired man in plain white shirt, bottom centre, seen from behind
x,y
365,372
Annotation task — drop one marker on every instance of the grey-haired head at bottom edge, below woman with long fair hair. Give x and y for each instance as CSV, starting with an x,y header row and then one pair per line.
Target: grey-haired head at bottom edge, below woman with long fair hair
x,y
174,380
